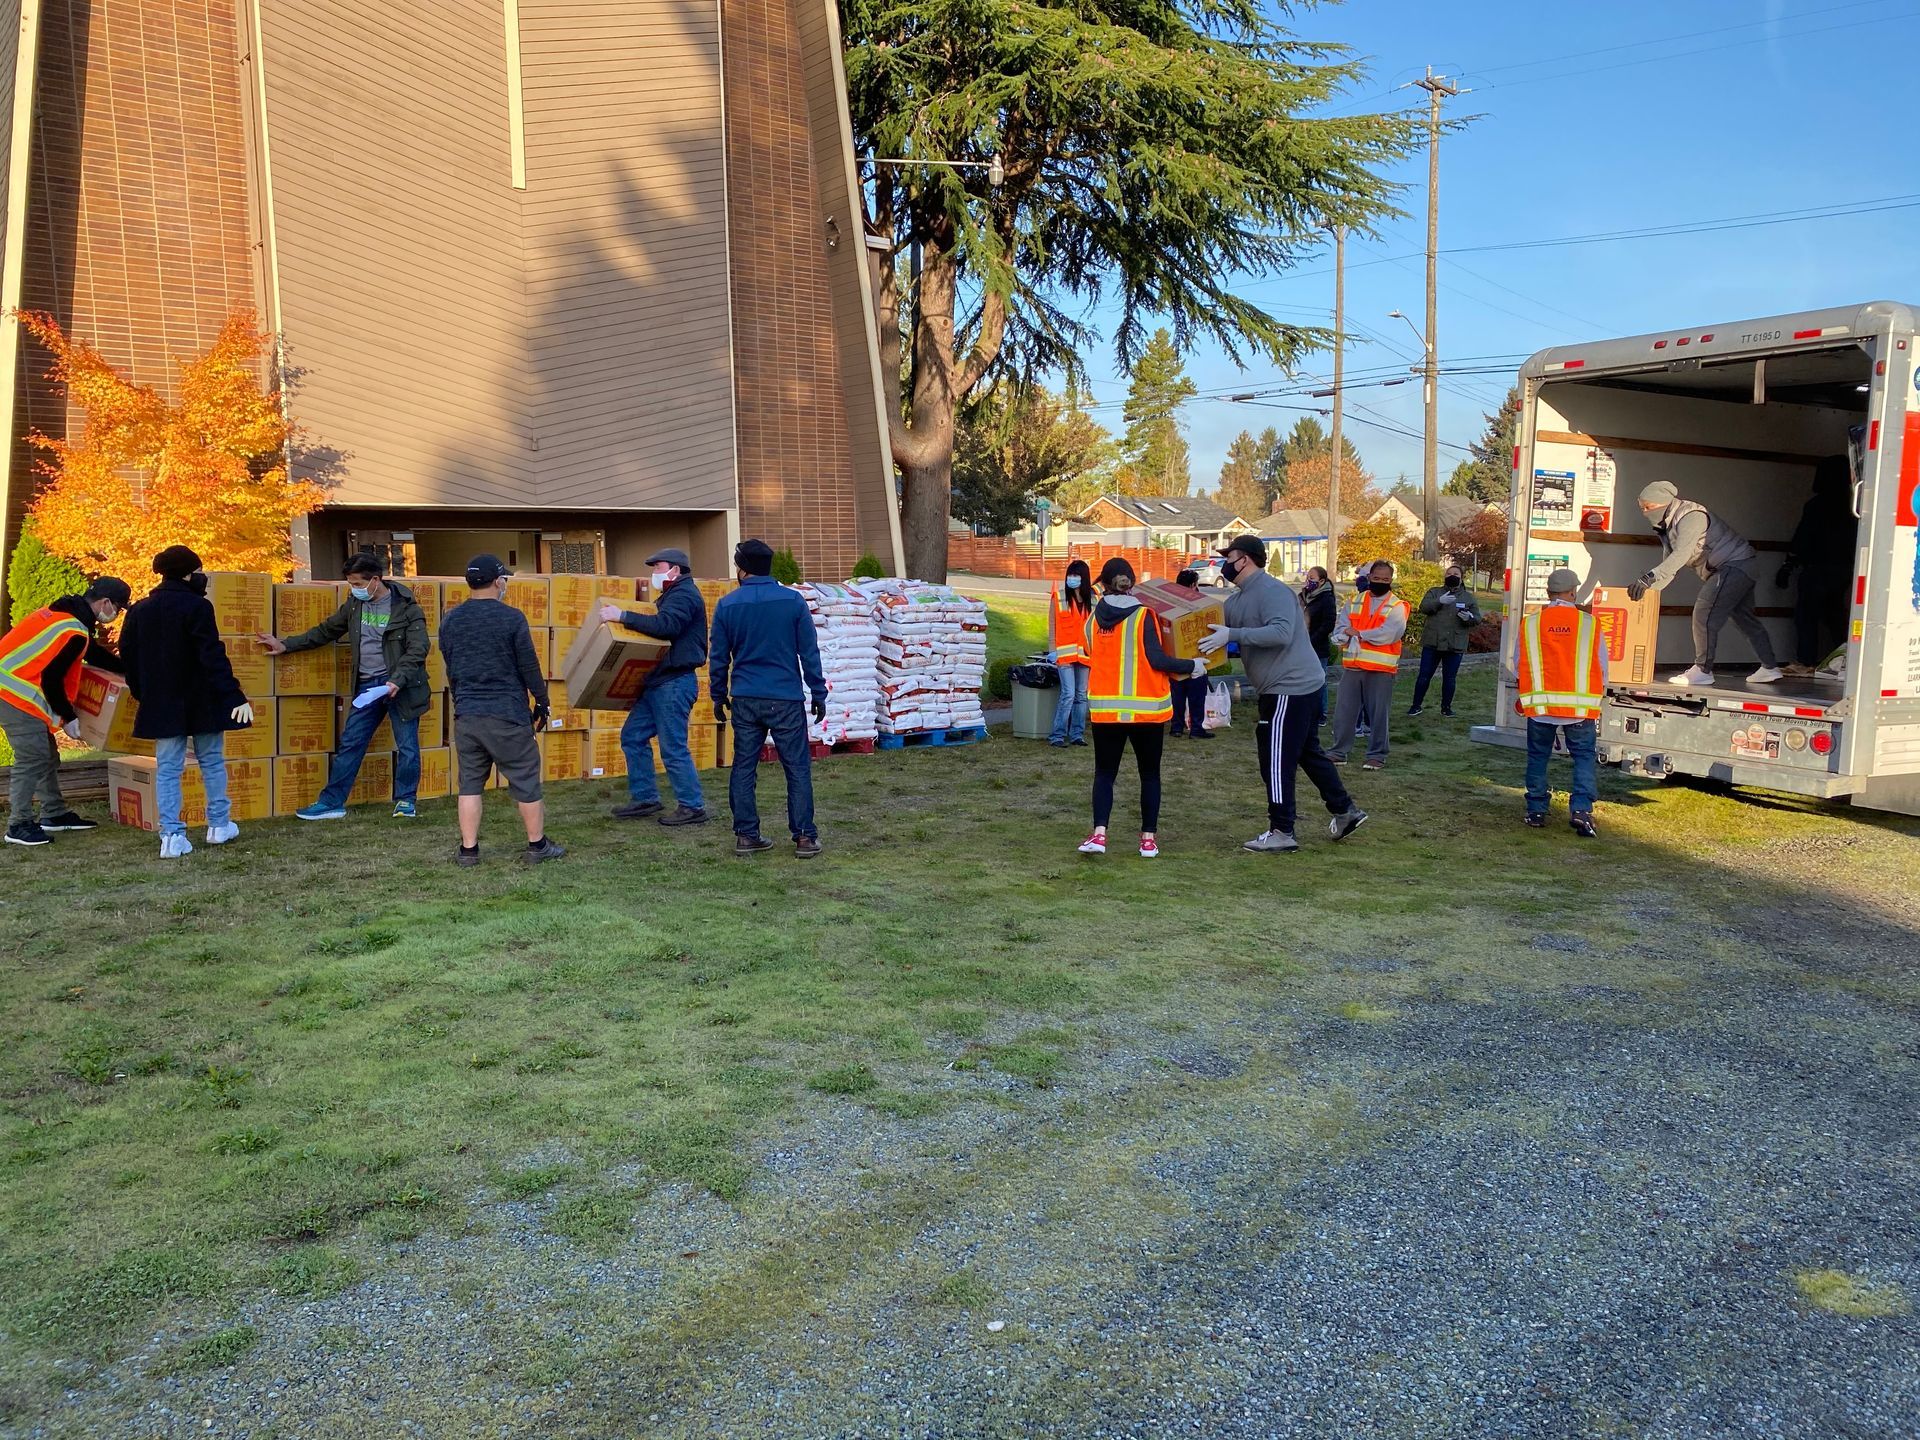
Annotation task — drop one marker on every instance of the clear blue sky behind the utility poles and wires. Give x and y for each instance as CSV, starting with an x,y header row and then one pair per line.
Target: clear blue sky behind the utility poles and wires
x,y
1756,107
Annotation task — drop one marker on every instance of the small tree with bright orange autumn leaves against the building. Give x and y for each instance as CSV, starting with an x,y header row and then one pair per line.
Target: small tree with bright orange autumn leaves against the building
x,y
145,473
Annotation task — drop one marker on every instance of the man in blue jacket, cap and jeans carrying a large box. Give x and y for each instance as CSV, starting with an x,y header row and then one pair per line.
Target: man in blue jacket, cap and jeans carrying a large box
x,y
663,708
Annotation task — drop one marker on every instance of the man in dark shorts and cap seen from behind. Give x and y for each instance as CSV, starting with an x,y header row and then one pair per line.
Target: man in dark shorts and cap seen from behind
x,y
492,671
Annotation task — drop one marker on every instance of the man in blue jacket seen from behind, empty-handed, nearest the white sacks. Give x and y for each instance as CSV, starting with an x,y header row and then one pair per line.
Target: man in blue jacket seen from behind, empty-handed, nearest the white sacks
x,y
763,644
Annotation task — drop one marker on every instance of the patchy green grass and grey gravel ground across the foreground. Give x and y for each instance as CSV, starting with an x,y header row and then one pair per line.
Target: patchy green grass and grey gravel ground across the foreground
x,y
660,1134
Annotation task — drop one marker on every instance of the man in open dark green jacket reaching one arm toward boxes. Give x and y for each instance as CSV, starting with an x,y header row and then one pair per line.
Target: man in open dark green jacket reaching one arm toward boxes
x,y
389,642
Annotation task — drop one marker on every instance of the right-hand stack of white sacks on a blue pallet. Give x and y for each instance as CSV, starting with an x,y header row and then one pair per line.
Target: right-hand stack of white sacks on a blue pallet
x,y
932,656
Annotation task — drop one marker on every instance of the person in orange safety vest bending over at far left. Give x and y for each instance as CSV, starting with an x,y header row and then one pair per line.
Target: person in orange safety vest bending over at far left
x,y
41,665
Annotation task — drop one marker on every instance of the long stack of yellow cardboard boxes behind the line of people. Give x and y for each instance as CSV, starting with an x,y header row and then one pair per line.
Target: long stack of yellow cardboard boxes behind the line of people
x,y
300,702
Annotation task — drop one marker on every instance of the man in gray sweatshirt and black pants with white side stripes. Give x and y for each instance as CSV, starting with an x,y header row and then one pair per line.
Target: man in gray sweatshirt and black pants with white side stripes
x,y
1266,623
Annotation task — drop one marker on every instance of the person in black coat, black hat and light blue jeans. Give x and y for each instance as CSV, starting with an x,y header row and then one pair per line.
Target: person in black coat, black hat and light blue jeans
x,y
180,675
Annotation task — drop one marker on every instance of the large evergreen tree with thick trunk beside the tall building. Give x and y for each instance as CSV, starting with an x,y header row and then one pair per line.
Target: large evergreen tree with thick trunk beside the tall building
x,y
1155,156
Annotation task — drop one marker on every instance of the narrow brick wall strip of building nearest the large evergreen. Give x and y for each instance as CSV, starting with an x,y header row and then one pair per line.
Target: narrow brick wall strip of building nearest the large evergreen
x,y
796,471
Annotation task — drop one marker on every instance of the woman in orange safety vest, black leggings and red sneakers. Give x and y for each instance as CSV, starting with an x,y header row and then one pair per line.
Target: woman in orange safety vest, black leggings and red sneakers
x,y
1130,702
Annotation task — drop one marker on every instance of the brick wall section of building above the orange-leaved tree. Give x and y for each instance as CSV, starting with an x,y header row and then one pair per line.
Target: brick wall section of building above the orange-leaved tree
x,y
137,220
